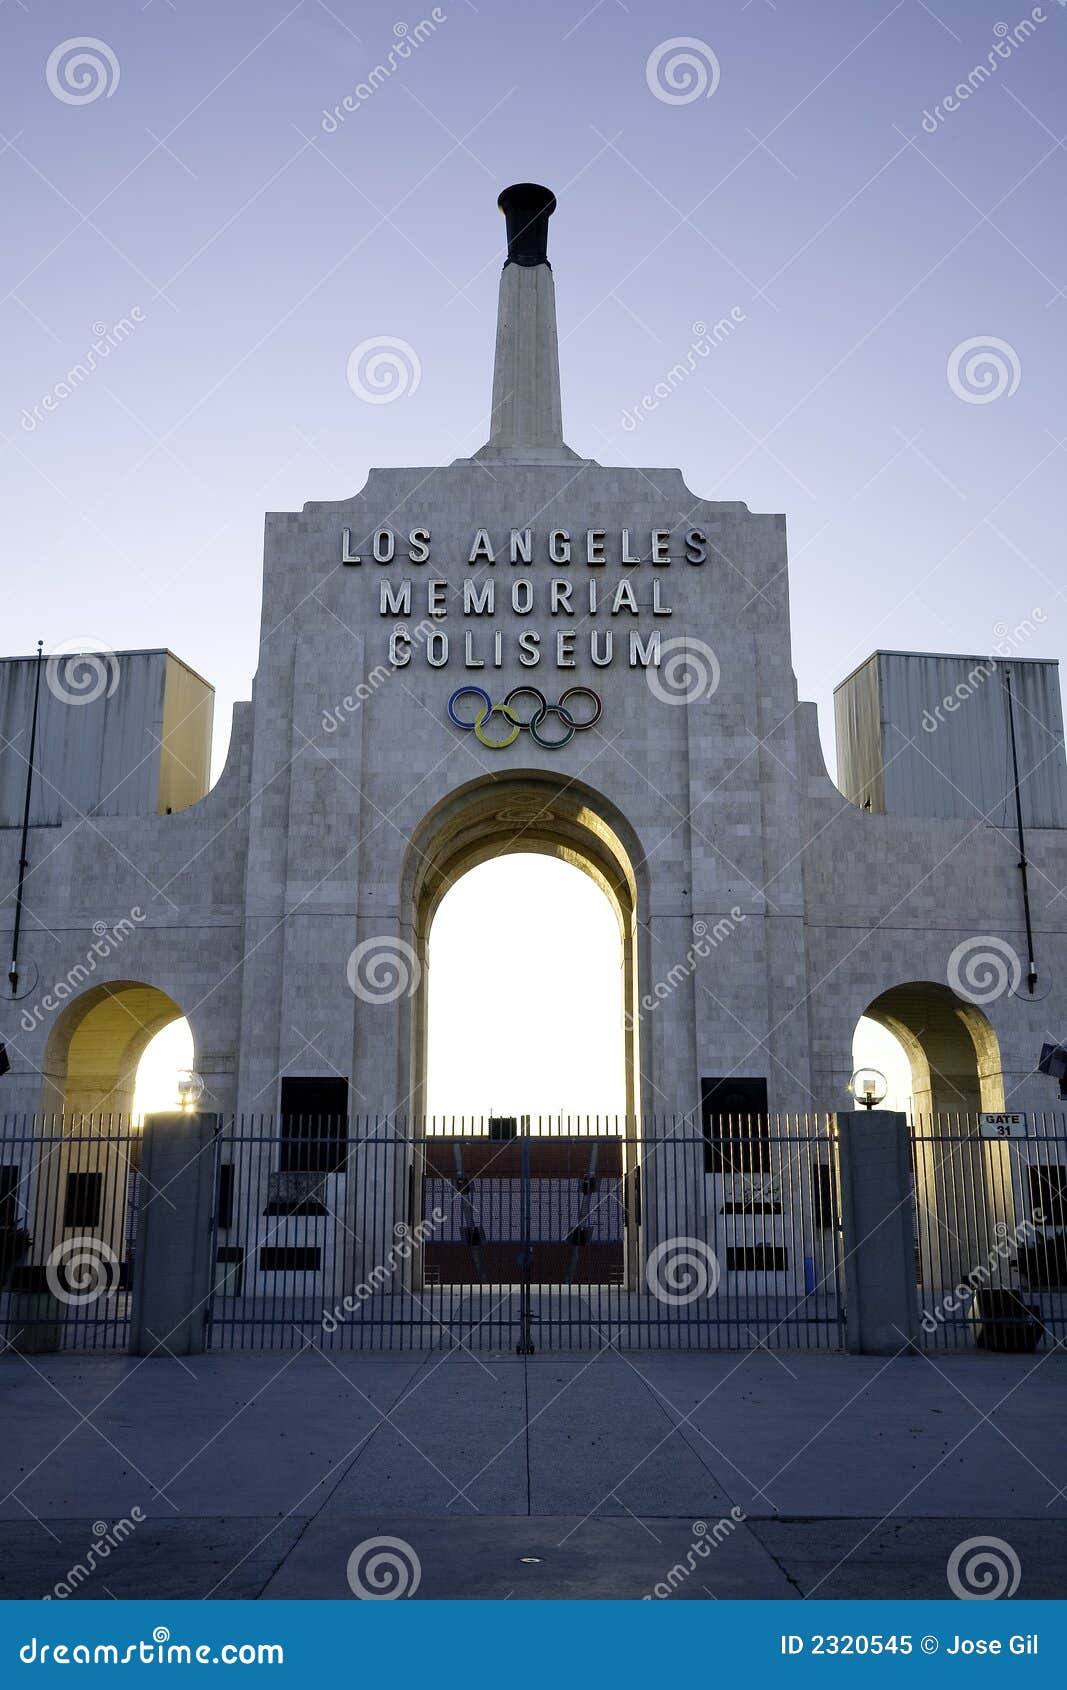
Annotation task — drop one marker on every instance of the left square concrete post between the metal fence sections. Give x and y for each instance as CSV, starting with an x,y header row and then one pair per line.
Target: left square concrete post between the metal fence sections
x,y
173,1258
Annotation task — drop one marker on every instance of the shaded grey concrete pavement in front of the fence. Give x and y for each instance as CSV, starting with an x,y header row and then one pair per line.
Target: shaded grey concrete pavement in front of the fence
x,y
555,1476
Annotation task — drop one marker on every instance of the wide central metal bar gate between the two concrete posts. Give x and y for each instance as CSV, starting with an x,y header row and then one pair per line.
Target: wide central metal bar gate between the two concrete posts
x,y
527,1235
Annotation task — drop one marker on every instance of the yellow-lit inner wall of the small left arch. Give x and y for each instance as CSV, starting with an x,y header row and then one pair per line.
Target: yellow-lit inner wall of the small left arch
x,y
96,1049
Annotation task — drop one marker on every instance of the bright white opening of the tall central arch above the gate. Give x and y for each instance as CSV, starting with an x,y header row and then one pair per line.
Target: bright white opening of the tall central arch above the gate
x,y
525,995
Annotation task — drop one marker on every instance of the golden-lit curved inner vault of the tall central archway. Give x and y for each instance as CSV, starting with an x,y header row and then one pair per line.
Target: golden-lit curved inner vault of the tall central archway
x,y
503,815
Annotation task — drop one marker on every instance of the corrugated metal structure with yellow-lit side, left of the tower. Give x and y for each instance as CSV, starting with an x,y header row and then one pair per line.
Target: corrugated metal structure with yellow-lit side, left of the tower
x,y
119,734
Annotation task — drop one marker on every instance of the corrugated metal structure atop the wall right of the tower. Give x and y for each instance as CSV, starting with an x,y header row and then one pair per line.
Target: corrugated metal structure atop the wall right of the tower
x,y
927,734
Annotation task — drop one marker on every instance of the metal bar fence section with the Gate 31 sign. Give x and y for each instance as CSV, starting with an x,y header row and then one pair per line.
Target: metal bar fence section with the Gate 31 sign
x,y
992,1231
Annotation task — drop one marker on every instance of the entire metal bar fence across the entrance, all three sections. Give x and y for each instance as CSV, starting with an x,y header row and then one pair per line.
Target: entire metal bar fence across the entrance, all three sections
x,y
533,1235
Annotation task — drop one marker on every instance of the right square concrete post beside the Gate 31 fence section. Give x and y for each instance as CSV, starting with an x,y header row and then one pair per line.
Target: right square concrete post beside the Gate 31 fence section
x,y
878,1226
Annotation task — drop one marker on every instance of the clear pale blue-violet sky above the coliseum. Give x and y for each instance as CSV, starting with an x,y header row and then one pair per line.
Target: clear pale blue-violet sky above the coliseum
x,y
261,249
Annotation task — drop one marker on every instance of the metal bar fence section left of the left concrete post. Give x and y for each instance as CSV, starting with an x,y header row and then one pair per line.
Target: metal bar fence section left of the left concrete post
x,y
68,1204
